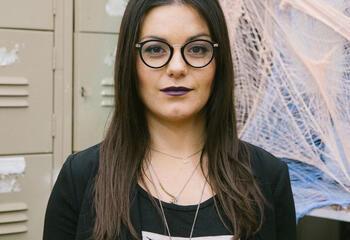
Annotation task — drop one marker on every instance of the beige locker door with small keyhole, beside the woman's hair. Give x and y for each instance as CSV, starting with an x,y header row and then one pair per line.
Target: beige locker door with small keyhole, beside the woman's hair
x,y
93,87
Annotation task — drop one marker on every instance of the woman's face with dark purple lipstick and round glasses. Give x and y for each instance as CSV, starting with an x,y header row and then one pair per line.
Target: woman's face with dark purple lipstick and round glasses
x,y
176,24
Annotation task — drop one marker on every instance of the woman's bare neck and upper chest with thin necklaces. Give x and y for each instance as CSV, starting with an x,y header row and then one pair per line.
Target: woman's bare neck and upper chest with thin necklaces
x,y
175,142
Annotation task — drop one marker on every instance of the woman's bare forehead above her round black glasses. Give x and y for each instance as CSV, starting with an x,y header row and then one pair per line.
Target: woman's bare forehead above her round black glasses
x,y
173,23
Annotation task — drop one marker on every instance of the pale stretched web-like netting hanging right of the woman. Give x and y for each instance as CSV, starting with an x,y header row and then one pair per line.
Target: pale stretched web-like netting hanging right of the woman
x,y
292,66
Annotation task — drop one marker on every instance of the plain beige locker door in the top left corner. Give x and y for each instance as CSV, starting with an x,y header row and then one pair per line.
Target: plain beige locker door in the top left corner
x,y
30,14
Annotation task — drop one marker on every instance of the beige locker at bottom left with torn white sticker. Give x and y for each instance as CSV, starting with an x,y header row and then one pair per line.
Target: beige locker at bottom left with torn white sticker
x,y
22,211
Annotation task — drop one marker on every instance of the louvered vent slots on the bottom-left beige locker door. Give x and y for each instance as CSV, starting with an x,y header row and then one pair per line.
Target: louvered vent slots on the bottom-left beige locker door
x,y
13,218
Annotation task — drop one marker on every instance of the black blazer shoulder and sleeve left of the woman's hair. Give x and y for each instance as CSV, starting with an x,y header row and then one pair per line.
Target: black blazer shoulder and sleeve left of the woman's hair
x,y
72,189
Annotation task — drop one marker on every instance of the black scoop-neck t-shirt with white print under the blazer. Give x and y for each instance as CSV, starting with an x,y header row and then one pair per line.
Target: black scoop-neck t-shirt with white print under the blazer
x,y
180,219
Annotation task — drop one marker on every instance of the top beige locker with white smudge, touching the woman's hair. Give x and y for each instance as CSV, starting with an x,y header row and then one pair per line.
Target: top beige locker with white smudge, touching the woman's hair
x,y
99,15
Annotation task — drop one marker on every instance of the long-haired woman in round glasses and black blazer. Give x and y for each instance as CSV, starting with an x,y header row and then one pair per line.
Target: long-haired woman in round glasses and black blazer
x,y
171,165
